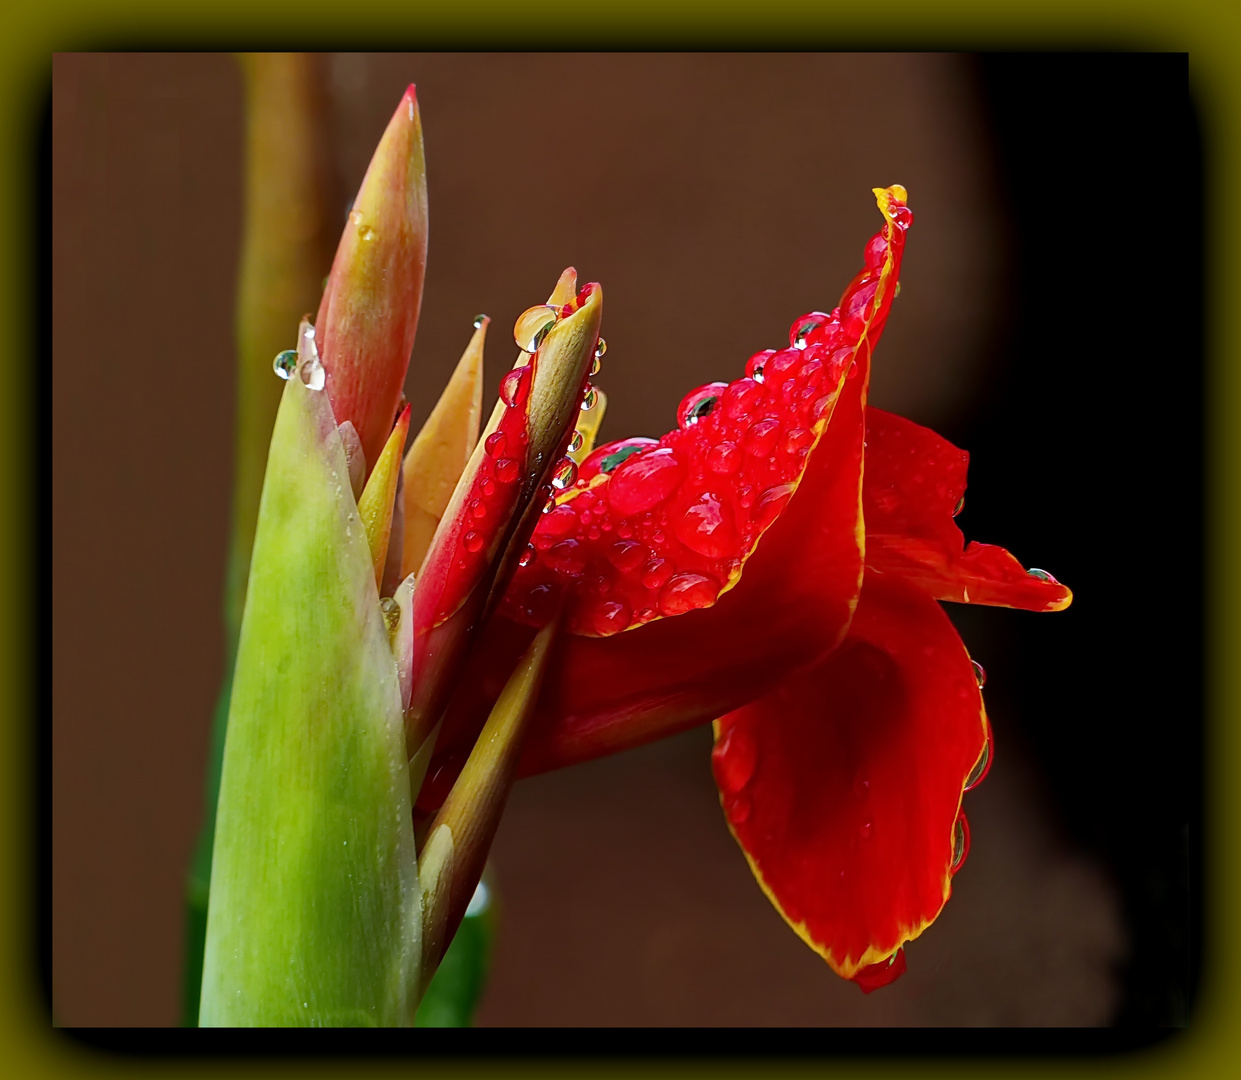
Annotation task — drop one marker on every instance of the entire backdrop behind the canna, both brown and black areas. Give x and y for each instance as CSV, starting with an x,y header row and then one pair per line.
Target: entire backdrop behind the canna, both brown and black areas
x,y
1049,323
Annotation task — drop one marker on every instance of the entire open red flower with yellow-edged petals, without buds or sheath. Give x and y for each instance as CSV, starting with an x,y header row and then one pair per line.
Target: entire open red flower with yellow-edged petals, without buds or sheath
x,y
775,565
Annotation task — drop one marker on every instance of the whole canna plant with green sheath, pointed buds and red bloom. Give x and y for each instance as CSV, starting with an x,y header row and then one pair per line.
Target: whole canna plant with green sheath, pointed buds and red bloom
x,y
423,628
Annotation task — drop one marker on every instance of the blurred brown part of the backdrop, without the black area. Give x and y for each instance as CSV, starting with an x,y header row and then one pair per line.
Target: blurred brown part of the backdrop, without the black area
x,y
715,198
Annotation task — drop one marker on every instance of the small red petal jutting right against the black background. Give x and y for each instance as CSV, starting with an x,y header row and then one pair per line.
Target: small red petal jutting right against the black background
x,y
913,486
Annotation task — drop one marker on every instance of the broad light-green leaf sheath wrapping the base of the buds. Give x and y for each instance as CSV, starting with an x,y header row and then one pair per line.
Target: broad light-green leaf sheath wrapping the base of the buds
x,y
316,914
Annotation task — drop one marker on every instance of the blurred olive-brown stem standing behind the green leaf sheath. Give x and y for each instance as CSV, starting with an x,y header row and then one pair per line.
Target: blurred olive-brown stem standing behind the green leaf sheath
x,y
287,246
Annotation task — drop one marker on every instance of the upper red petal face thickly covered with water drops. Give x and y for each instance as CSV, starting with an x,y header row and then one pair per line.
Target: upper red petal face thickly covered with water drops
x,y
652,528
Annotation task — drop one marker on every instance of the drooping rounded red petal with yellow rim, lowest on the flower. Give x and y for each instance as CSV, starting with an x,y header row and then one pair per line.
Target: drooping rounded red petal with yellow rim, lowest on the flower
x,y
843,786
